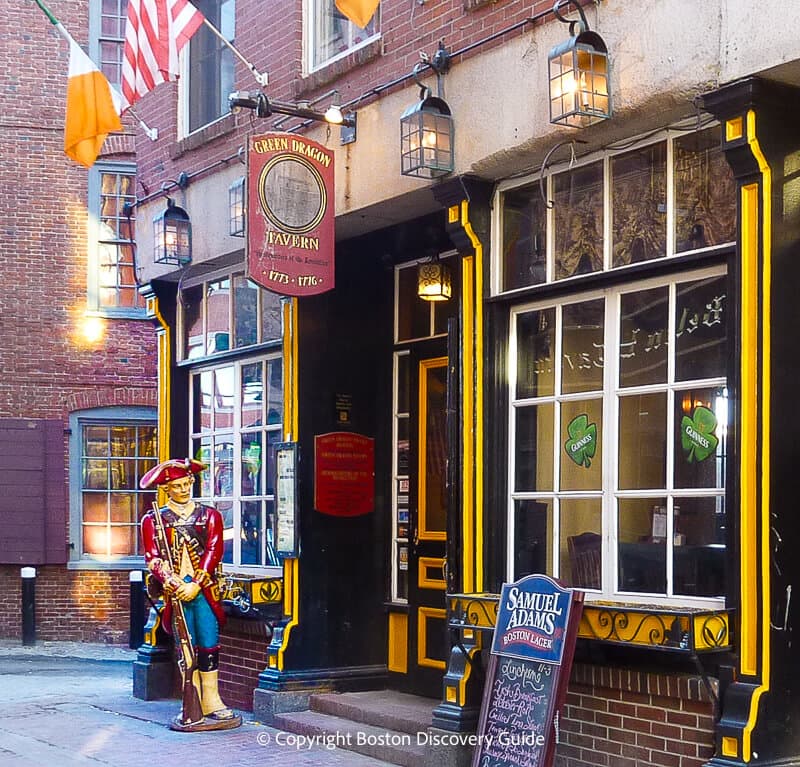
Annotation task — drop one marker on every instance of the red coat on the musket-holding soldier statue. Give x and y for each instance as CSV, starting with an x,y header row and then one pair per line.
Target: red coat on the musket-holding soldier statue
x,y
201,534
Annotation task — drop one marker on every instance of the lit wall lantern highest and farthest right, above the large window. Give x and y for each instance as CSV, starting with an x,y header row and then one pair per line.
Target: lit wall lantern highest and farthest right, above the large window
x,y
579,74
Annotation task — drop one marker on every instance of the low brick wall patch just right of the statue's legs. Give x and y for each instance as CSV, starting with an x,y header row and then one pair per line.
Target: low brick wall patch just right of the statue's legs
x,y
243,655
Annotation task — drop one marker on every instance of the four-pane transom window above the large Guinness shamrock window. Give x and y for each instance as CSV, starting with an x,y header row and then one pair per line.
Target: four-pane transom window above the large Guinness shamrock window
x,y
629,206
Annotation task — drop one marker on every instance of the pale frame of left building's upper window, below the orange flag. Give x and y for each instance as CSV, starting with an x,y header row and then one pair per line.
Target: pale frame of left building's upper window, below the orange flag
x,y
93,245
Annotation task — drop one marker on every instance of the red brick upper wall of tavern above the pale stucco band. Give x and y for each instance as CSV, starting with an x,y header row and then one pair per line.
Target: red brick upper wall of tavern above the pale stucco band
x,y
270,35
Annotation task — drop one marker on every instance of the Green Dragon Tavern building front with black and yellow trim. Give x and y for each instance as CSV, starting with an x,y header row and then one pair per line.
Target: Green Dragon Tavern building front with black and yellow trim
x,y
659,249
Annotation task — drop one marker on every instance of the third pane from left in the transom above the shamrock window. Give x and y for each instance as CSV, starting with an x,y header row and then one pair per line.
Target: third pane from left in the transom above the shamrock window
x,y
639,205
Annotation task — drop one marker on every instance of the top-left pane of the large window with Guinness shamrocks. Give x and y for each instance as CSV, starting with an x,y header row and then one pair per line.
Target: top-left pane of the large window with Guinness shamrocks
x,y
535,349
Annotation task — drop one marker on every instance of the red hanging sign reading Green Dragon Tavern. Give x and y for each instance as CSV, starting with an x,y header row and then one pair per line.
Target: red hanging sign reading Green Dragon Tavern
x,y
290,214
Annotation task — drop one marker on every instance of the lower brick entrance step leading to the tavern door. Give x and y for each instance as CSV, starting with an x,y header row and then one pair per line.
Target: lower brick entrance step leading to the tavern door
x,y
390,746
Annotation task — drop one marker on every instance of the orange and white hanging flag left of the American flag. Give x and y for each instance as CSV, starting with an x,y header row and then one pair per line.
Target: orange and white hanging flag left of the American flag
x,y
93,107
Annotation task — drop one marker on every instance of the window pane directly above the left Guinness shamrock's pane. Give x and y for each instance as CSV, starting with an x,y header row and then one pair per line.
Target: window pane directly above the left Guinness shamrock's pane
x,y
582,346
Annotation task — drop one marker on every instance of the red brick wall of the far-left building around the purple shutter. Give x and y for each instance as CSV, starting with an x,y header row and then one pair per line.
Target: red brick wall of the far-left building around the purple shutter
x,y
49,369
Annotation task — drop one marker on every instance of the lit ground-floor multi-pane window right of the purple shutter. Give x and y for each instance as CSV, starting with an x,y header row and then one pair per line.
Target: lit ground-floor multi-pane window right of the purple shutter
x,y
113,456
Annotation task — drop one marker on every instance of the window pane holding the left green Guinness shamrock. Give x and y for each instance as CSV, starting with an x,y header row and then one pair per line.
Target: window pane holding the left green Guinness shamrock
x,y
582,439
